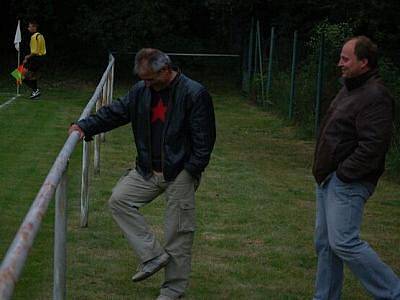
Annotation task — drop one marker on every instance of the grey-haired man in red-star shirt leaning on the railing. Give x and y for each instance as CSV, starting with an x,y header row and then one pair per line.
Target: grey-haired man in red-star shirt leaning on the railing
x,y
173,124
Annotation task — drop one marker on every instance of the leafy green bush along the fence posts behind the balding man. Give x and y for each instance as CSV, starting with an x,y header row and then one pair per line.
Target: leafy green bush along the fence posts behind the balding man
x,y
306,79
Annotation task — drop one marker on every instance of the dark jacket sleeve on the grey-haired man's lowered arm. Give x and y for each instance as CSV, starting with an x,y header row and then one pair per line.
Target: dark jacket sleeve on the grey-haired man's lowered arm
x,y
202,133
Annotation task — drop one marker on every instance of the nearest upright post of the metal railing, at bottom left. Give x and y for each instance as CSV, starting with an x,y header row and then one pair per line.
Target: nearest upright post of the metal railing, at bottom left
x,y
60,239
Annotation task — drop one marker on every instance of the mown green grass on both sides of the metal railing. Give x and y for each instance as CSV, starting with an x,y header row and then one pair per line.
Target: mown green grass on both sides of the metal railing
x,y
255,207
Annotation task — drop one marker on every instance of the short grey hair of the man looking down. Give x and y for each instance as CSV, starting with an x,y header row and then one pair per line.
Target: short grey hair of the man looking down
x,y
153,59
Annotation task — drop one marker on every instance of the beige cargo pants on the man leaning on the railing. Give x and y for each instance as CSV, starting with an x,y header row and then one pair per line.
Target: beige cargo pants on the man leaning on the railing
x,y
133,192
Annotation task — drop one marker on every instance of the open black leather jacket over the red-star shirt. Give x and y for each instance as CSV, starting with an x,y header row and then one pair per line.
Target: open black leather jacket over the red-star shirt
x,y
189,131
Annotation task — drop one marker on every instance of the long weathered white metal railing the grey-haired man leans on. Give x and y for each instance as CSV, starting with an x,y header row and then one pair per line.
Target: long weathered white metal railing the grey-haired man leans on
x,y
56,182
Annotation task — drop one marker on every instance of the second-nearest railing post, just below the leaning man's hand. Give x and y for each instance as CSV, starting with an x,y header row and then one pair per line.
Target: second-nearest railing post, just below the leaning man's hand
x,y
85,185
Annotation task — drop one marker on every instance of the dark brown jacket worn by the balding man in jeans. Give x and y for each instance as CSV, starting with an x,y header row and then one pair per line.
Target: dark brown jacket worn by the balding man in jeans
x,y
356,131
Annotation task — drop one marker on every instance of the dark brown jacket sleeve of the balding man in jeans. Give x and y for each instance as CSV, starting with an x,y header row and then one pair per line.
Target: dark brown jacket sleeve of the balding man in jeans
x,y
374,129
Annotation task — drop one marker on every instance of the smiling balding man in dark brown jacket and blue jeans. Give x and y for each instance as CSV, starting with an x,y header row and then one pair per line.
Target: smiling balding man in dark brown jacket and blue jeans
x,y
349,159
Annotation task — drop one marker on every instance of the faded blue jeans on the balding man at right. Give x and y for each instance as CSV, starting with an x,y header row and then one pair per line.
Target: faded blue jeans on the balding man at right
x,y
339,215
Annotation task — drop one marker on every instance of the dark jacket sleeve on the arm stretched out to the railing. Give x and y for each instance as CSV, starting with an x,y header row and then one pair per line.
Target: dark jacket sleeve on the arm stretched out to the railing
x,y
108,117
